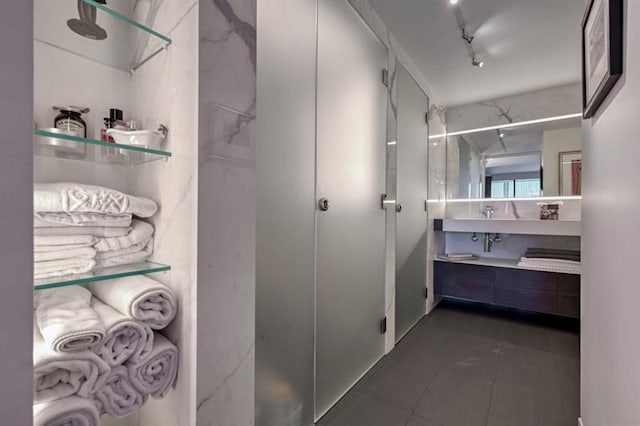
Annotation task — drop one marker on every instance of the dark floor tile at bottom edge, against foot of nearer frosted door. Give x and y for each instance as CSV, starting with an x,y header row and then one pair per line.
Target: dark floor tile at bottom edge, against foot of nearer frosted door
x,y
357,409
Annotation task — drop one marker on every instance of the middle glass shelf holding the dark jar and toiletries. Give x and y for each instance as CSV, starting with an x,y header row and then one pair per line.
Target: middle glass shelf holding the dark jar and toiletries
x,y
68,147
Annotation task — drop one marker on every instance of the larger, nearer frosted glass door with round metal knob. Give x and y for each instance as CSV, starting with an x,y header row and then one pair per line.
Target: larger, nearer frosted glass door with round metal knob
x,y
351,177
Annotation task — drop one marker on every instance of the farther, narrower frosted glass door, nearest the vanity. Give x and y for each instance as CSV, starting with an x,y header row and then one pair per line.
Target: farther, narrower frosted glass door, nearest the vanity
x,y
411,217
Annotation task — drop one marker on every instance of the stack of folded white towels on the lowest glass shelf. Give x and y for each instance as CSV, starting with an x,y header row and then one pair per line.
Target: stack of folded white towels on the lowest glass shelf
x,y
78,228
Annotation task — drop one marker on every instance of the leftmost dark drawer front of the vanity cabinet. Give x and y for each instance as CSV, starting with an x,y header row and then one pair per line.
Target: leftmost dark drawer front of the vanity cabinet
x,y
464,281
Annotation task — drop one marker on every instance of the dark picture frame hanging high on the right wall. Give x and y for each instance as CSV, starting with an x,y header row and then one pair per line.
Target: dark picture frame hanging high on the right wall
x,y
602,52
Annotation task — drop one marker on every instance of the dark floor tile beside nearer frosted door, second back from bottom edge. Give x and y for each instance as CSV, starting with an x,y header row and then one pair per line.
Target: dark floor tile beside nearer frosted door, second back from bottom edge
x,y
401,379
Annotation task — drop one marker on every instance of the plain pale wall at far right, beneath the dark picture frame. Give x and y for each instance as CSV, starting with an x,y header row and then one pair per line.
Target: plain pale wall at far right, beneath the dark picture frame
x,y
610,311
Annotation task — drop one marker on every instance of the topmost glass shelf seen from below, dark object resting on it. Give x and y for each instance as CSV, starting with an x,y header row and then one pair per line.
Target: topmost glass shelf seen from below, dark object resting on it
x,y
128,43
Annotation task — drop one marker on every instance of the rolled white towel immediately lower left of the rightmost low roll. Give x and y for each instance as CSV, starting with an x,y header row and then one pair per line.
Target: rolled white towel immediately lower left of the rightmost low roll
x,y
117,397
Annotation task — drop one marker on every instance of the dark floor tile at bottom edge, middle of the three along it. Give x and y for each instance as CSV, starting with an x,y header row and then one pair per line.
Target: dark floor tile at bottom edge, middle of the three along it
x,y
455,399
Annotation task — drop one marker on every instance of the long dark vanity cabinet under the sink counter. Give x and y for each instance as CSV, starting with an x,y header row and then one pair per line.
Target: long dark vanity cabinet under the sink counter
x,y
537,291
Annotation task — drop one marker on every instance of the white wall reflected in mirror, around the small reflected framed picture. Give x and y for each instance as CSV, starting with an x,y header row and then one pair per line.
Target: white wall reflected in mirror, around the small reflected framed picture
x,y
553,143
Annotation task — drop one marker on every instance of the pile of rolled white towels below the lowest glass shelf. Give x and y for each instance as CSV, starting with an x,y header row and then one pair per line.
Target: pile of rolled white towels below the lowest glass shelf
x,y
97,350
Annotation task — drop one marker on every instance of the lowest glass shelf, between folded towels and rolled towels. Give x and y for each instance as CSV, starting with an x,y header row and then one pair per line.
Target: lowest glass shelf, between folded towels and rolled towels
x,y
101,275
